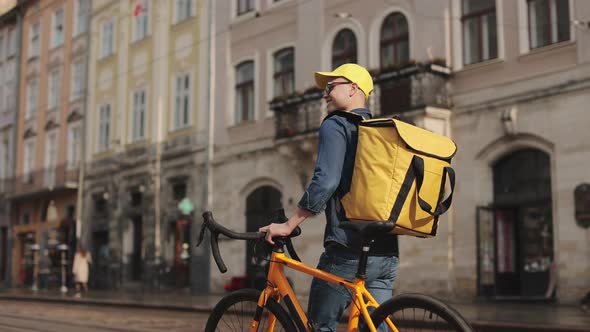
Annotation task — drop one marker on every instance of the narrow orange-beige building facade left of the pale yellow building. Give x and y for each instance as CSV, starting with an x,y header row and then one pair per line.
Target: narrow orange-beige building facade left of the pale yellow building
x,y
49,131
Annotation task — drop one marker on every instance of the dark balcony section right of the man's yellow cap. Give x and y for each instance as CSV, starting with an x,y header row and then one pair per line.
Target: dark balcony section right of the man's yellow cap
x,y
409,88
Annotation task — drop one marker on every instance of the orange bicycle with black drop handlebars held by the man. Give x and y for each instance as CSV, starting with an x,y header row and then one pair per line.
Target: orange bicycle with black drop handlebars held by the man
x,y
276,308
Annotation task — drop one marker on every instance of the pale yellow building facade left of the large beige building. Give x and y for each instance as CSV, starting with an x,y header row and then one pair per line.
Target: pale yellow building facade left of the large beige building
x,y
142,140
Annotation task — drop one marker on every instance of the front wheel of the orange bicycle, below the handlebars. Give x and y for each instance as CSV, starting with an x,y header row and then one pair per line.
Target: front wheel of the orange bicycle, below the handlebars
x,y
235,313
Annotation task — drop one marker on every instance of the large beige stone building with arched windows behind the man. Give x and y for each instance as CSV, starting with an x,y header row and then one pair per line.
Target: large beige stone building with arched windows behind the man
x,y
506,80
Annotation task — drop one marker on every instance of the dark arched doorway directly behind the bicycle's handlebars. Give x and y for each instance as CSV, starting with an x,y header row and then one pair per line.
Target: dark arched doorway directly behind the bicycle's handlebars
x,y
260,206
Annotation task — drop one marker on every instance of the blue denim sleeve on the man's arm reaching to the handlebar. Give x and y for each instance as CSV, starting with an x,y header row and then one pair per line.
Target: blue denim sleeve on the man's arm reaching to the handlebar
x,y
328,169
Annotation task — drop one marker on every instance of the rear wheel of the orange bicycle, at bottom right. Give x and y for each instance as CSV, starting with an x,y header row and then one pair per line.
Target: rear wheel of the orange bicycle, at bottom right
x,y
417,312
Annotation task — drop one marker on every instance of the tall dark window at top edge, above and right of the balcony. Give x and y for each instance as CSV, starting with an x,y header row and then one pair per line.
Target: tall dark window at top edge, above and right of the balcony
x,y
479,30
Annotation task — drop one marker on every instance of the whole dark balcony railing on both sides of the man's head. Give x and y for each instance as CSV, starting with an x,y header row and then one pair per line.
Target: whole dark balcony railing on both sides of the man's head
x,y
396,91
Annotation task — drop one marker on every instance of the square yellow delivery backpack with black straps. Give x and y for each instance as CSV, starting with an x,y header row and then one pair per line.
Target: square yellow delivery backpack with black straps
x,y
400,174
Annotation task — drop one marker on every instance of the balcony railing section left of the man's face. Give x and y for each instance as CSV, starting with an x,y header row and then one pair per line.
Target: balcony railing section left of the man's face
x,y
297,114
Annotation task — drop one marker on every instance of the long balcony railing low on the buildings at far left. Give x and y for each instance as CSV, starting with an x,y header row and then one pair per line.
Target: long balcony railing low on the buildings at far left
x,y
59,177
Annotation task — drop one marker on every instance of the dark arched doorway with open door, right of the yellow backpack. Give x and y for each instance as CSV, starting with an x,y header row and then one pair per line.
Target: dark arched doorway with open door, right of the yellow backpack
x,y
515,235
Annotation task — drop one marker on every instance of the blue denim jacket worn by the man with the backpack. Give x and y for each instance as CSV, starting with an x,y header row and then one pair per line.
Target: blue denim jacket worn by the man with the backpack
x,y
338,138
